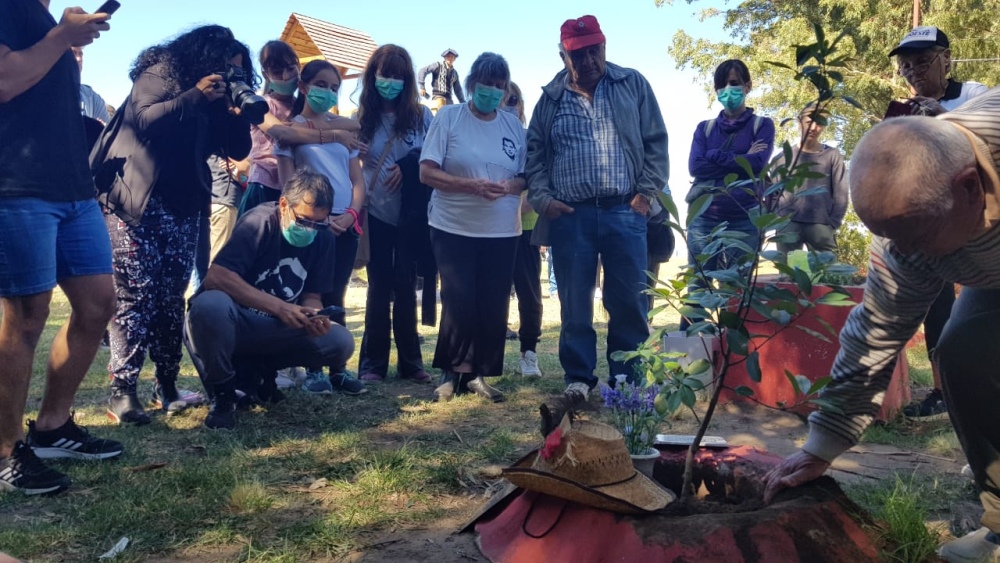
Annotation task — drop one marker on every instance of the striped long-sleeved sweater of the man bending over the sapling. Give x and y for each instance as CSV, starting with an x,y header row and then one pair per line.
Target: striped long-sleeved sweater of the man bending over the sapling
x,y
899,291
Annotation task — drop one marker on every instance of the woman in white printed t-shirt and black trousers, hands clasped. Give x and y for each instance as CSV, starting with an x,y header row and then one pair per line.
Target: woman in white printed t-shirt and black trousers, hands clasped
x,y
473,157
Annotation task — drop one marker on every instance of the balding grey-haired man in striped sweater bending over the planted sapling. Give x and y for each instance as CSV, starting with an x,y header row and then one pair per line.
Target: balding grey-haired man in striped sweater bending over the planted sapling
x,y
928,189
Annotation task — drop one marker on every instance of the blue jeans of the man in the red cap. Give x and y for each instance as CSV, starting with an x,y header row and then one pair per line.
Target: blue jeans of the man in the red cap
x,y
618,235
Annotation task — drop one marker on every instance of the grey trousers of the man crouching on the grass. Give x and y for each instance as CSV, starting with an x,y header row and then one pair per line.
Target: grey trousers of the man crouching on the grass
x,y
227,340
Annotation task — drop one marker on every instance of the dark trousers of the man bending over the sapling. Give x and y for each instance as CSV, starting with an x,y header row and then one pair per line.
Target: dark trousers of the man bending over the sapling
x,y
968,356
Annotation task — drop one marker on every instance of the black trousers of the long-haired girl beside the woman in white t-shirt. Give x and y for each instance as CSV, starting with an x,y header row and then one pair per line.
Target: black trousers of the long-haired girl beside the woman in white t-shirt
x,y
391,305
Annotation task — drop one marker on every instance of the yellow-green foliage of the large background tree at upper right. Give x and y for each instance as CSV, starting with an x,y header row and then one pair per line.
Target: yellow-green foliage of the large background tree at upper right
x,y
761,30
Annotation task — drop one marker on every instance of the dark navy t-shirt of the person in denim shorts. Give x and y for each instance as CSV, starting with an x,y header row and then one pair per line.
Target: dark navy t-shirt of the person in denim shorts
x,y
43,146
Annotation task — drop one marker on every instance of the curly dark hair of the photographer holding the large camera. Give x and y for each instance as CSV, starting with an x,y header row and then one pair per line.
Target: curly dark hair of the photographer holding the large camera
x,y
189,57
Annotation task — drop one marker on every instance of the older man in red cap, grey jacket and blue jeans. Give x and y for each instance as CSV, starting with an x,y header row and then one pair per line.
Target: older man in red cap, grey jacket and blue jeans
x,y
597,156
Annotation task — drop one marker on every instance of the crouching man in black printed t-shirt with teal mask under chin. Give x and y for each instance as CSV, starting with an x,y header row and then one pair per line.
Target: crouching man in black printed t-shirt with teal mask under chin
x,y
256,311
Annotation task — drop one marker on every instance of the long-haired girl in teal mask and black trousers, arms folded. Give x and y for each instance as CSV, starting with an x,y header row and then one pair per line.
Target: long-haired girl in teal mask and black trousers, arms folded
x,y
393,124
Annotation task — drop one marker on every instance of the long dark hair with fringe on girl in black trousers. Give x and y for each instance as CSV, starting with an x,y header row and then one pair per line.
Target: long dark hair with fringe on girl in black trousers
x,y
389,61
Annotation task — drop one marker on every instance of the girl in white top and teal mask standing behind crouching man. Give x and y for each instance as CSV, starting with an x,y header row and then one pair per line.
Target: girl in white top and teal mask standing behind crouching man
x,y
319,84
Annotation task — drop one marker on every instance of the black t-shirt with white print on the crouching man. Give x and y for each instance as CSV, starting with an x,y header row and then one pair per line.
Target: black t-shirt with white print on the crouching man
x,y
259,254
